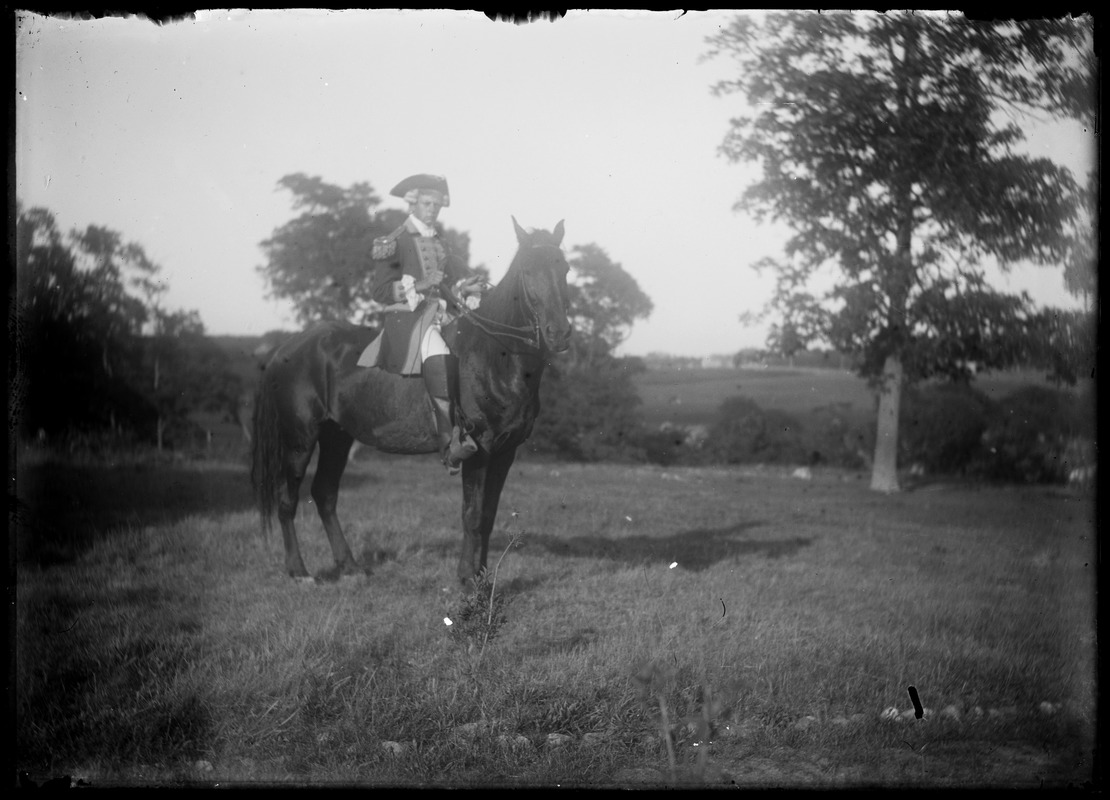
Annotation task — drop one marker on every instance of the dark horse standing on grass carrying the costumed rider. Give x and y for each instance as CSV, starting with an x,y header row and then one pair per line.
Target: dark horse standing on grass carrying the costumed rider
x,y
314,392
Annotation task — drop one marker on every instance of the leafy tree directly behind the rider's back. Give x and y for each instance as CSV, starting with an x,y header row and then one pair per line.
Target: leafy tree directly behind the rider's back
x,y
320,260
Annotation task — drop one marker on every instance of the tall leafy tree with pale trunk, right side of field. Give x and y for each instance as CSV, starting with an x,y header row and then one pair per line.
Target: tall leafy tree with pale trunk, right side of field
x,y
887,150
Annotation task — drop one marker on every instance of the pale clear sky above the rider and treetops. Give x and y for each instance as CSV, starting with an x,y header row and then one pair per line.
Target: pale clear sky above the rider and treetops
x,y
177,135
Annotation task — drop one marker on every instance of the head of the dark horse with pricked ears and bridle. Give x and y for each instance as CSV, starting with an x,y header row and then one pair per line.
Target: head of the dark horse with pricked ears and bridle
x,y
543,278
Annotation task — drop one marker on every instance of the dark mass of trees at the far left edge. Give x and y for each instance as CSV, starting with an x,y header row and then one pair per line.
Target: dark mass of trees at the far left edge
x,y
96,351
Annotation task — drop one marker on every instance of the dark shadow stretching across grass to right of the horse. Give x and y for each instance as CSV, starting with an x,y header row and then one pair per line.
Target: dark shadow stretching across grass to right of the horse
x,y
695,550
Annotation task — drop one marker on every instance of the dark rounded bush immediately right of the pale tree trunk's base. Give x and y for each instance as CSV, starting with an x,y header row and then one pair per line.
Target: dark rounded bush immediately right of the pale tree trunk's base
x,y
943,427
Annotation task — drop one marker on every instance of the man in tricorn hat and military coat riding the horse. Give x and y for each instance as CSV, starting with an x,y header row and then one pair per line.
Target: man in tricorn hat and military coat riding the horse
x,y
411,265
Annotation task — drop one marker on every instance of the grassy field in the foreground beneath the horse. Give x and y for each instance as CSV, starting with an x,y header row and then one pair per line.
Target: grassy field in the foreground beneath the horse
x,y
722,627
